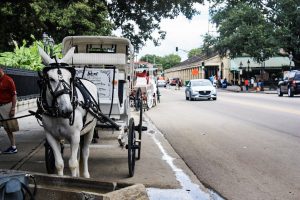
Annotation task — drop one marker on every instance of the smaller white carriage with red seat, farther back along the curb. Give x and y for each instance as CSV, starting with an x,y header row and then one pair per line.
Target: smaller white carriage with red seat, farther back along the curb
x,y
145,88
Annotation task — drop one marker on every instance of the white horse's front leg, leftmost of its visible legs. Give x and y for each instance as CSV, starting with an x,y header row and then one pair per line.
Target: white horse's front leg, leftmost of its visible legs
x,y
55,145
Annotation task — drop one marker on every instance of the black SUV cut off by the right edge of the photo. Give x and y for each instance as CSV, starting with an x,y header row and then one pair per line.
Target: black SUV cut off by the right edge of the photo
x,y
290,84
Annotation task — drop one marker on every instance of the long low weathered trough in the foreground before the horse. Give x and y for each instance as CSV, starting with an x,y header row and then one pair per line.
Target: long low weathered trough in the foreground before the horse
x,y
54,187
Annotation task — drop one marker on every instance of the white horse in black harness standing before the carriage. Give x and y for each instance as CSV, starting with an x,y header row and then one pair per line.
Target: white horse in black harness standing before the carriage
x,y
63,115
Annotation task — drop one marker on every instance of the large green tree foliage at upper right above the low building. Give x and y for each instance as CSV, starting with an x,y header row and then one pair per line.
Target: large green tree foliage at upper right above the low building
x,y
255,26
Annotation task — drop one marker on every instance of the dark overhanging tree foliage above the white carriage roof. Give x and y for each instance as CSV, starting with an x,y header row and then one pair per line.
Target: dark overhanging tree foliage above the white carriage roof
x,y
137,19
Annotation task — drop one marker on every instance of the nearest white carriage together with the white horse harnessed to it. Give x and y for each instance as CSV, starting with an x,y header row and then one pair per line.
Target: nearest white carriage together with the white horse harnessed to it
x,y
85,92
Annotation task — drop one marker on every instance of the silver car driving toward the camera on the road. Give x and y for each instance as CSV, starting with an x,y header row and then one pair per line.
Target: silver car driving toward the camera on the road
x,y
200,89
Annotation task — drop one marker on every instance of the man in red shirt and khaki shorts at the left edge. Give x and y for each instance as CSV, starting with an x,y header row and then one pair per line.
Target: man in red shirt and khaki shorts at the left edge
x,y
8,100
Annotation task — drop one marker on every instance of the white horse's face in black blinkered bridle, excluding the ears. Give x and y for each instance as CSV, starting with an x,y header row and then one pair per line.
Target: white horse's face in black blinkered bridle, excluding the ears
x,y
59,89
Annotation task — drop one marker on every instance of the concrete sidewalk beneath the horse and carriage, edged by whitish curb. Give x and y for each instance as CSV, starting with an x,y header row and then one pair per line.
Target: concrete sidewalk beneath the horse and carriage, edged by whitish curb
x,y
108,162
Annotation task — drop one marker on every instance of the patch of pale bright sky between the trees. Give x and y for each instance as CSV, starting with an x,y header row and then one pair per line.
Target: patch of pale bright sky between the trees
x,y
182,33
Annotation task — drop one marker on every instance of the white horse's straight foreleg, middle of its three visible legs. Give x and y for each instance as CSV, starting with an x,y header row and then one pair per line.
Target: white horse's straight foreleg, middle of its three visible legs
x,y
74,145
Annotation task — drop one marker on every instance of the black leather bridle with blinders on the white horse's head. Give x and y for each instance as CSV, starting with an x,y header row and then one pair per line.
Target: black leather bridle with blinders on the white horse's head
x,y
53,110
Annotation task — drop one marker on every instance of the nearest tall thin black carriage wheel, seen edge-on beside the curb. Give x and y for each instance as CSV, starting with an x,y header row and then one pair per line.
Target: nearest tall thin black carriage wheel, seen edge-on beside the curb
x,y
131,147
